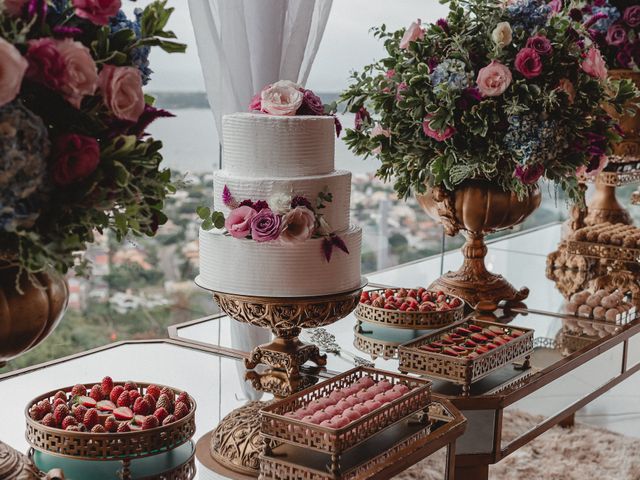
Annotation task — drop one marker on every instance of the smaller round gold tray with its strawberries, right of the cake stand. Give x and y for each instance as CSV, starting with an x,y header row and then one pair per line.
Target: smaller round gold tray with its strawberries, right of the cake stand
x,y
413,308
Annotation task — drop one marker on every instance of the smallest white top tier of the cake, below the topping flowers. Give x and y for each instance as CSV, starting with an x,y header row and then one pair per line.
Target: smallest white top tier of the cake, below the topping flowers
x,y
260,145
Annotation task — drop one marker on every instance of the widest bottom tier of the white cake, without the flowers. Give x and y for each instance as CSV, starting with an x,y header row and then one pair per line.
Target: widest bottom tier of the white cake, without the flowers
x,y
272,269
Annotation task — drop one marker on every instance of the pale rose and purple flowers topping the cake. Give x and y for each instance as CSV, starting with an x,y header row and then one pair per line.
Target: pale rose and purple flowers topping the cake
x,y
286,98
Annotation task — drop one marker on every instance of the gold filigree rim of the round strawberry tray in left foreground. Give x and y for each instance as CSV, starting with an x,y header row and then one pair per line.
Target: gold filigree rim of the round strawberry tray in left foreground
x,y
123,446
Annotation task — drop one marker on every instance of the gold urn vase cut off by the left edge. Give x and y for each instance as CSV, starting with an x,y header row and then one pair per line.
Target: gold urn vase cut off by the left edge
x,y
30,309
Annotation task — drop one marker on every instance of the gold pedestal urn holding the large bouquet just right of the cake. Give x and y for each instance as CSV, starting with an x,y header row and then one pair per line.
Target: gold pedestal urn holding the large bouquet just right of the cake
x,y
477,208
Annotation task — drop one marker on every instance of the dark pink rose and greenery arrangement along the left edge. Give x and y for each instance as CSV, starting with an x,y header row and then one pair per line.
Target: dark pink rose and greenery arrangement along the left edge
x,y
75,157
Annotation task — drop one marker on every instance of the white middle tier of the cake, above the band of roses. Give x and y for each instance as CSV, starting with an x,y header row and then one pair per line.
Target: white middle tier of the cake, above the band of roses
x,y
338,183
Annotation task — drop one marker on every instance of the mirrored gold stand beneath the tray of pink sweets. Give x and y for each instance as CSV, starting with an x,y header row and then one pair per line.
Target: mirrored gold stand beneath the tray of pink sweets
x,y
379,457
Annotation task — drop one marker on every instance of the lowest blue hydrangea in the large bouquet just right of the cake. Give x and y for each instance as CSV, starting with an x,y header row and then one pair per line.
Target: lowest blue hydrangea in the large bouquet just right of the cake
x,y
532,140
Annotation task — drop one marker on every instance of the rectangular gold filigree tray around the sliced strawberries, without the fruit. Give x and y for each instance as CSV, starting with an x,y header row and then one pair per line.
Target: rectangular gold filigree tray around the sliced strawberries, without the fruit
x,y
462,370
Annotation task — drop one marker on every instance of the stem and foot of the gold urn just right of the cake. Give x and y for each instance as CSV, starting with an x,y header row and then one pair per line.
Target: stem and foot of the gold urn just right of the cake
x,y
473,282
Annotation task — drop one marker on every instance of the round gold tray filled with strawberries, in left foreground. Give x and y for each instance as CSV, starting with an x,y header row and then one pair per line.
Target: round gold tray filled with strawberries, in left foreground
x,y
121,425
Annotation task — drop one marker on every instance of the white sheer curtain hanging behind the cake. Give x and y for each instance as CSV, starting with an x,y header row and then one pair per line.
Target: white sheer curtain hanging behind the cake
x,y
244,45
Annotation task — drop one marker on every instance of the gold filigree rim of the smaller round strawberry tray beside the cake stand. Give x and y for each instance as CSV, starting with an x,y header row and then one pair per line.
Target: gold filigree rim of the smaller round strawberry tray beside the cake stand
x,y
409,320
